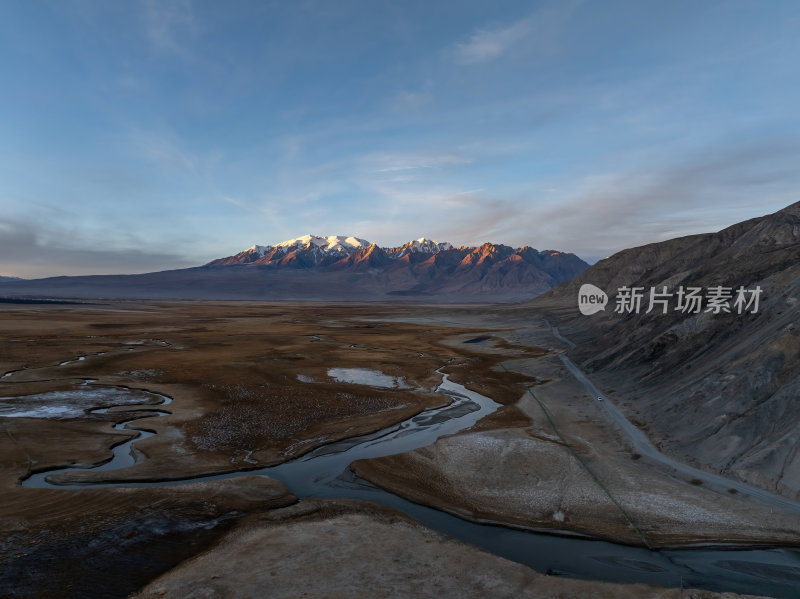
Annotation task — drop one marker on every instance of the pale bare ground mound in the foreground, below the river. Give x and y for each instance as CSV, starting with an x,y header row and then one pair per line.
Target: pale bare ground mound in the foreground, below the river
x,y
339,553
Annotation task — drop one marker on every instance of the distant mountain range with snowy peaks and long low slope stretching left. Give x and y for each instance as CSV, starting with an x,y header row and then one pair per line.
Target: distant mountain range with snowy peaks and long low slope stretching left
x,y
338,268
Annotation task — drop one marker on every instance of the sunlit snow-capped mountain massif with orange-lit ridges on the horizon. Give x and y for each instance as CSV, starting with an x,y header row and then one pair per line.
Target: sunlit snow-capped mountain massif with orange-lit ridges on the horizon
x,y
422,267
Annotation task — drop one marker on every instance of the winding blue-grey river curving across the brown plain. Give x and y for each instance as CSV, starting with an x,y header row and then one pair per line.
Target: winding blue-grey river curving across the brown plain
x,y
325,473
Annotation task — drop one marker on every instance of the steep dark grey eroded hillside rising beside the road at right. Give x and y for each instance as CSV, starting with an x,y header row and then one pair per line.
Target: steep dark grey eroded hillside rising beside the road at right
x,y
718,390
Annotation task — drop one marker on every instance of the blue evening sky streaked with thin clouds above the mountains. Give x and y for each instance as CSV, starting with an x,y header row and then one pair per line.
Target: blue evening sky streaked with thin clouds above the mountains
x,y
139,136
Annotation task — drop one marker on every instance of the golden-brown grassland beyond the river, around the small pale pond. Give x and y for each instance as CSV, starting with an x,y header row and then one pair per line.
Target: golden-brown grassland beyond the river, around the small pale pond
x,y
232,369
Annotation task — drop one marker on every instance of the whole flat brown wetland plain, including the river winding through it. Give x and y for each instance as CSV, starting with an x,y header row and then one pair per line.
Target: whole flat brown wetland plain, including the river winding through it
x,y
172,427
